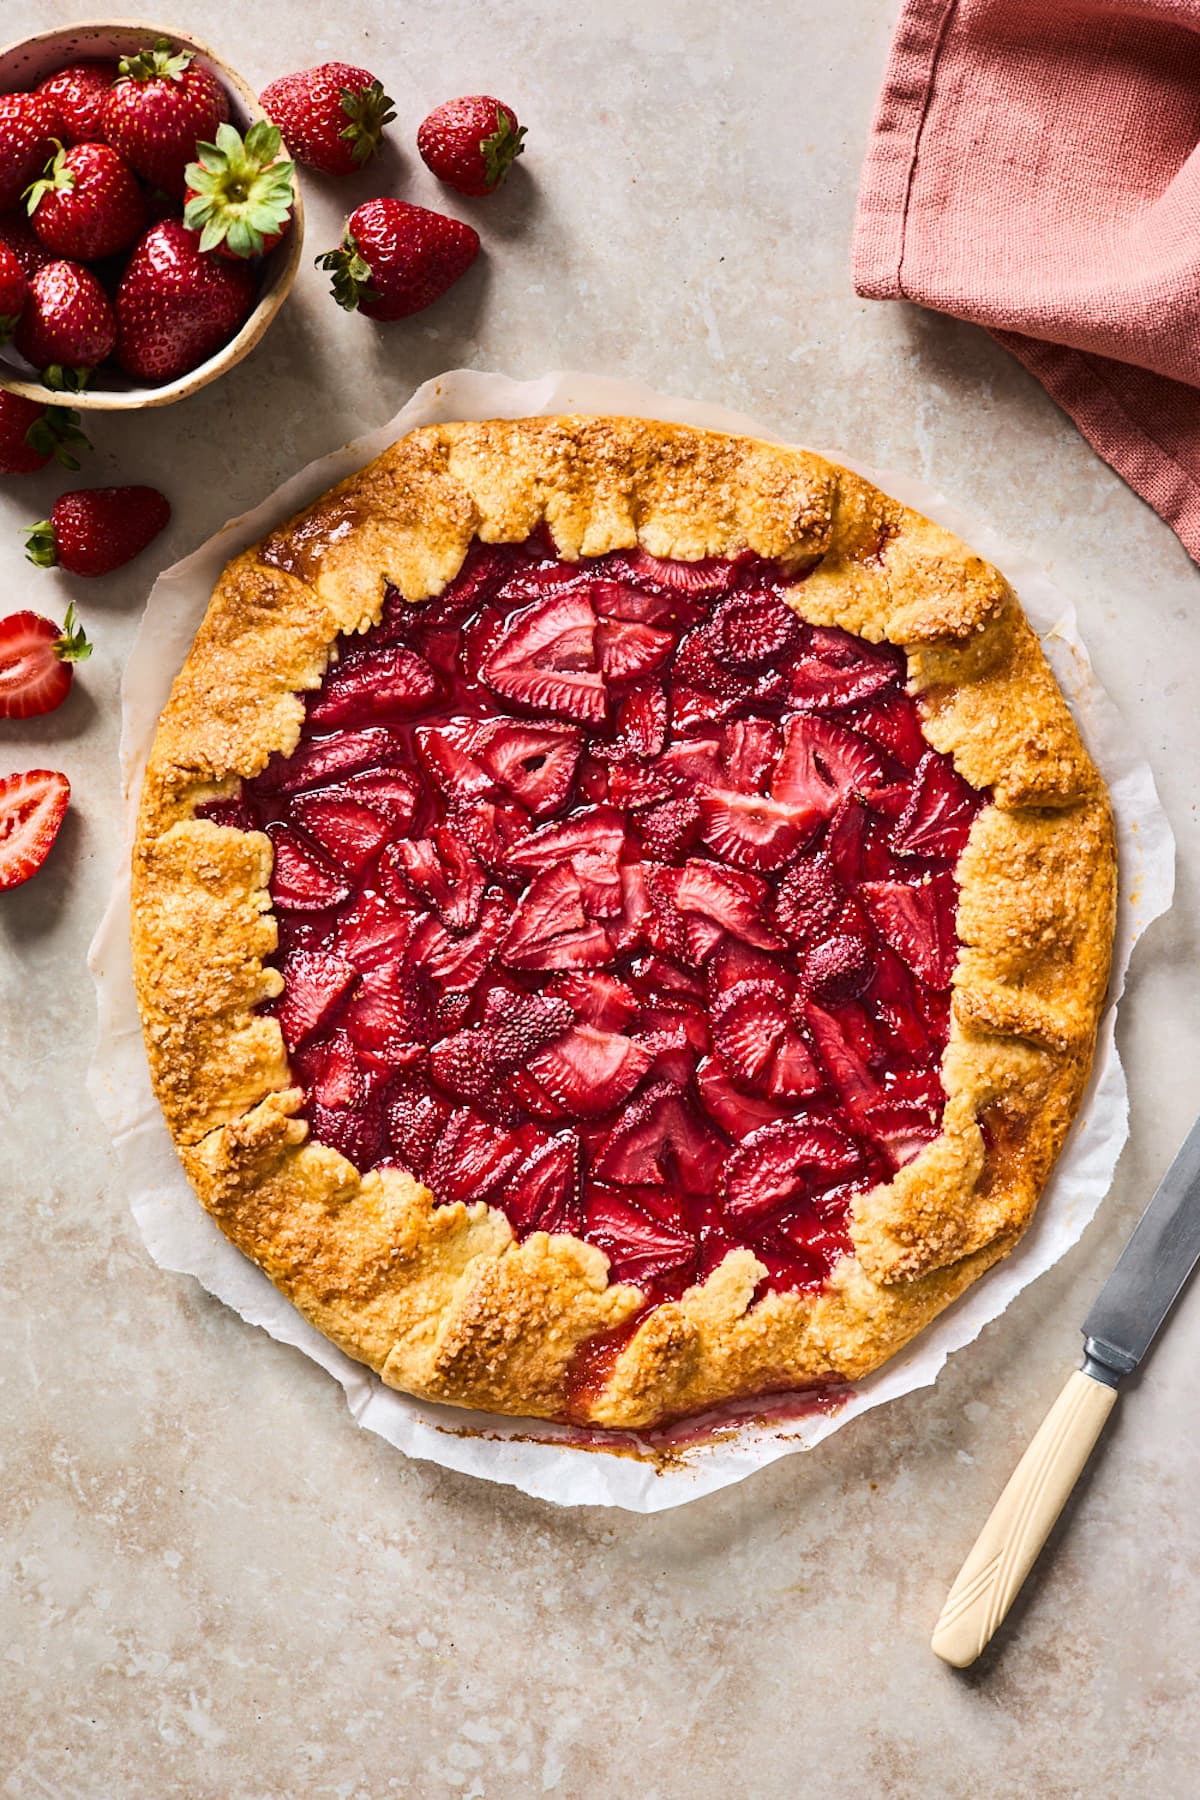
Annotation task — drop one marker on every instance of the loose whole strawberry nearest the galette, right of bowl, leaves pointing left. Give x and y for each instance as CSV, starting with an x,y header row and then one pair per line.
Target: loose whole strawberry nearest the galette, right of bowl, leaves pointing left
x,y
397,258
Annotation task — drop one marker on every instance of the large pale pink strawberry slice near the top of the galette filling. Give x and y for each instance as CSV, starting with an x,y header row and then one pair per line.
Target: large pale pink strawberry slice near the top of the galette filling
x,y
546,660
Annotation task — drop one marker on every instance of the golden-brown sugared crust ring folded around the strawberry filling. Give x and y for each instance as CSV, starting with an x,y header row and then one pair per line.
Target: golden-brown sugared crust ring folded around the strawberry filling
x,y
440,1300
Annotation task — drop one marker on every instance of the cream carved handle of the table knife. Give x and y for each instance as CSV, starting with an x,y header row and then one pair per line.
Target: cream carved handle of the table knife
x,y
1023,1520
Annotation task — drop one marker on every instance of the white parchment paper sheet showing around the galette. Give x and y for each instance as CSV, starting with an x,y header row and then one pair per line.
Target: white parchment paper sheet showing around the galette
x,y
569,1468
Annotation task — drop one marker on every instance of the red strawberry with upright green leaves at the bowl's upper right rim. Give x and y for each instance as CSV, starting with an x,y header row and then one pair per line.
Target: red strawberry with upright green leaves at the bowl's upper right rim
x,y
159,109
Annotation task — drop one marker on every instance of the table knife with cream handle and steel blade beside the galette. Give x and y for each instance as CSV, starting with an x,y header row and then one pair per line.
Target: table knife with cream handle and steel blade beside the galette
x,y
1118,1333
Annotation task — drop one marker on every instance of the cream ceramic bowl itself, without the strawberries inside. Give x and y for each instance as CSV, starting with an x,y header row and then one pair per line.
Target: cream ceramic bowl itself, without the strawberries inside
x,y
30,62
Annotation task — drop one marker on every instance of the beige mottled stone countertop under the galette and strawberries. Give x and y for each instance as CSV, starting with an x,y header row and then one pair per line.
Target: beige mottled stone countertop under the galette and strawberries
x,y
213,1585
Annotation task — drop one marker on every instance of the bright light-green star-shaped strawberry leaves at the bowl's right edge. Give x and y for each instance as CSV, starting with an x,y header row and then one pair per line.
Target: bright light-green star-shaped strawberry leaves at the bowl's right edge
x,y
240,190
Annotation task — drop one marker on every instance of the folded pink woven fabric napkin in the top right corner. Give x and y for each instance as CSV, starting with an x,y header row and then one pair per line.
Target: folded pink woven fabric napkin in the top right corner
x,y
1035,168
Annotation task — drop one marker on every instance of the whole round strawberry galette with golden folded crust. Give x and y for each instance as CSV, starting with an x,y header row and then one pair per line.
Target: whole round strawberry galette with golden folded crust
x,y
622,917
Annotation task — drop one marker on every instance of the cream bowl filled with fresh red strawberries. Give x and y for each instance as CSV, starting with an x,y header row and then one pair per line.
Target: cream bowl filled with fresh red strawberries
x,y
150,217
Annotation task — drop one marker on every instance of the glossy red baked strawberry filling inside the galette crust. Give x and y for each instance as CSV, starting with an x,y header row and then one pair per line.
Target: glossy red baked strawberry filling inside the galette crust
x,y
618,897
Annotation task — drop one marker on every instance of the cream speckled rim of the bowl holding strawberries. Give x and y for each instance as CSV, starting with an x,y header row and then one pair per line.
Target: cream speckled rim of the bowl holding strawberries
x,y
96,39
